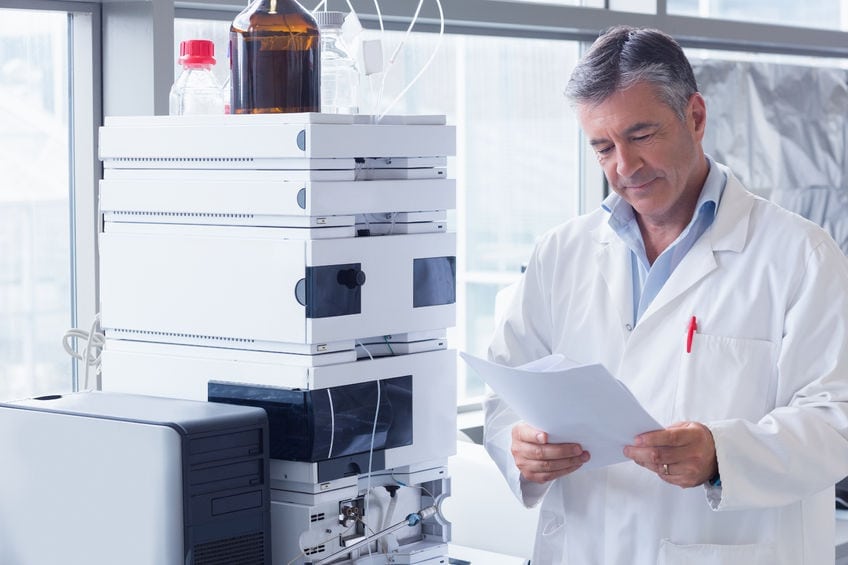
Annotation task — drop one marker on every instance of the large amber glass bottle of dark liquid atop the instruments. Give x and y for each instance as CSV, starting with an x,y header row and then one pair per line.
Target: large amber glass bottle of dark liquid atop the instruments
x,y
275,59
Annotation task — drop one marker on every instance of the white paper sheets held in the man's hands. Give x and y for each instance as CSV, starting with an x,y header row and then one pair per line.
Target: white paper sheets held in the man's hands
x,y
573,404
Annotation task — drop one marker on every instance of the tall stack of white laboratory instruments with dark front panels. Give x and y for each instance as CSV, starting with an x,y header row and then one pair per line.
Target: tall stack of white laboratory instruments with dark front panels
x,y
301,263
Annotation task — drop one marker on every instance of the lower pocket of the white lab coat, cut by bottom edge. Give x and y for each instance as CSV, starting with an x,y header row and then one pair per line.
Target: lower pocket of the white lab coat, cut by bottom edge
x,y
711,554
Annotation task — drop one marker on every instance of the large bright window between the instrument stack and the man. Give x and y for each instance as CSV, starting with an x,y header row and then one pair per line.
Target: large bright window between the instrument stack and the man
x,y
516,165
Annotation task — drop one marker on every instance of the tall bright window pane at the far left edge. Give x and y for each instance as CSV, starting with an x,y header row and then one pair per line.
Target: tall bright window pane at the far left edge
x,y
35,264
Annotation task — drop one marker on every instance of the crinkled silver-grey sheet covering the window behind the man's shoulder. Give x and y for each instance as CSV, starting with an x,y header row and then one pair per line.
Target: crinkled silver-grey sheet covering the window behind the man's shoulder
x,y
783,130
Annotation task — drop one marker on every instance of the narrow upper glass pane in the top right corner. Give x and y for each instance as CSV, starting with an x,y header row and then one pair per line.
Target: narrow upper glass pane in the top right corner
x,y
823,14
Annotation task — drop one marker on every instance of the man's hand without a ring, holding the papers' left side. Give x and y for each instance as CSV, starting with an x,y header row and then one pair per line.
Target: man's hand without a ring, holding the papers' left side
x,y
540,461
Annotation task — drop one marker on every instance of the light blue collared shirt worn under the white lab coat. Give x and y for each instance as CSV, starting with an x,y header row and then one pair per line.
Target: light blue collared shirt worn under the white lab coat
x,y
649,279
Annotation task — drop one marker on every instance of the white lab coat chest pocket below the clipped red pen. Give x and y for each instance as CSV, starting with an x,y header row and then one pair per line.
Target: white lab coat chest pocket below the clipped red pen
x,y
724,377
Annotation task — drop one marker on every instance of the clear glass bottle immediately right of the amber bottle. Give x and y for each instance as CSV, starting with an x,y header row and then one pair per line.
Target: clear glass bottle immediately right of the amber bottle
x,y
339,72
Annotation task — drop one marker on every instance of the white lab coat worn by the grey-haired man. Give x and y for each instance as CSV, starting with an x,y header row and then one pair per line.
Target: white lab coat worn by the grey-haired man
x,y
768,374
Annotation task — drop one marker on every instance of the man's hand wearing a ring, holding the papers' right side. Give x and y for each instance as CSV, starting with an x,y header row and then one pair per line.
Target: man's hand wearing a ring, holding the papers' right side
x,y
682,454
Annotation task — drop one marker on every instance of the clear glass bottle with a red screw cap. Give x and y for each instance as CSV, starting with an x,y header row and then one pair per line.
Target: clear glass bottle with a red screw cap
x,y
196,90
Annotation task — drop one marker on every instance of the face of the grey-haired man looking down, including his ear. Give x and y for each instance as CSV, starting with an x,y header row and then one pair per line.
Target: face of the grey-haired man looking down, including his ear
x,y
651,158
